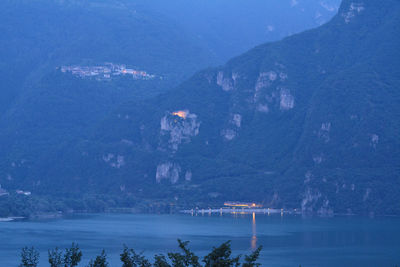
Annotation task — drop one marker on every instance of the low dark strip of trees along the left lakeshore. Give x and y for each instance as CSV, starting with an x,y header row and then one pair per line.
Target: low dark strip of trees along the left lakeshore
x,y
53,206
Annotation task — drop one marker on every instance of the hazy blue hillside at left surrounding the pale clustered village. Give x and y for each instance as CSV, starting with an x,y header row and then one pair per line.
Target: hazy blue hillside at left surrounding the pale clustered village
x,y
42,108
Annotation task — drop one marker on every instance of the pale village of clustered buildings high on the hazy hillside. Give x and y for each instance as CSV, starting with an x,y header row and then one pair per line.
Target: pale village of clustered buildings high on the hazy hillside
x,y
106,72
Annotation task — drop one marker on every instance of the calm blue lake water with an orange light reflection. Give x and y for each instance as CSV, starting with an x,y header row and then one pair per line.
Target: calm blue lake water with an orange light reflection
x,y
287,240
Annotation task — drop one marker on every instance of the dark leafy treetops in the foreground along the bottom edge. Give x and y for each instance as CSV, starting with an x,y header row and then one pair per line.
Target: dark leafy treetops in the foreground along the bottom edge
x,y
71,257
